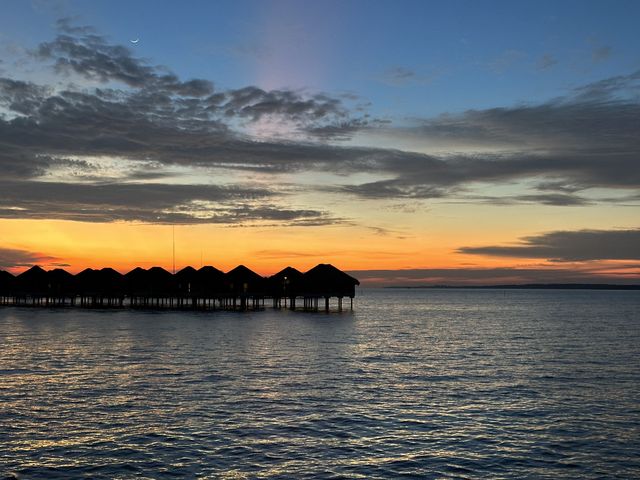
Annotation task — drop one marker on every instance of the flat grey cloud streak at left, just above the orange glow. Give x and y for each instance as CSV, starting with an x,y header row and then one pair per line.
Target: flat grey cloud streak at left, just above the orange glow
x,y
152,203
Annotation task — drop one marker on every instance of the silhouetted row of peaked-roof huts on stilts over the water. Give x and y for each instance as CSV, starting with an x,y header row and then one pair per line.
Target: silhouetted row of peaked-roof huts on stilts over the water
x,y
157,287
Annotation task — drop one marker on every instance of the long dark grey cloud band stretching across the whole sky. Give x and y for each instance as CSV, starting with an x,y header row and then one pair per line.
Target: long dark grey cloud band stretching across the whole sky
x,y
583,144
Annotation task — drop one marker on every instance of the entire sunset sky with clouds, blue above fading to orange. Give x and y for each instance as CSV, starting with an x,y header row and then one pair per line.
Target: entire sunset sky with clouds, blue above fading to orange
x,y
407,142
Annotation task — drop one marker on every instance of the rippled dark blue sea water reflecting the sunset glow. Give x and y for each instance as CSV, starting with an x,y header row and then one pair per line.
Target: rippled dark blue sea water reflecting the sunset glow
x,y
412,383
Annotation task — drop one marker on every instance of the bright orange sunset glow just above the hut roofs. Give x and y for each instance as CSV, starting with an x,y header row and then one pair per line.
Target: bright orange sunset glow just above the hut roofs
x,y
266,250
